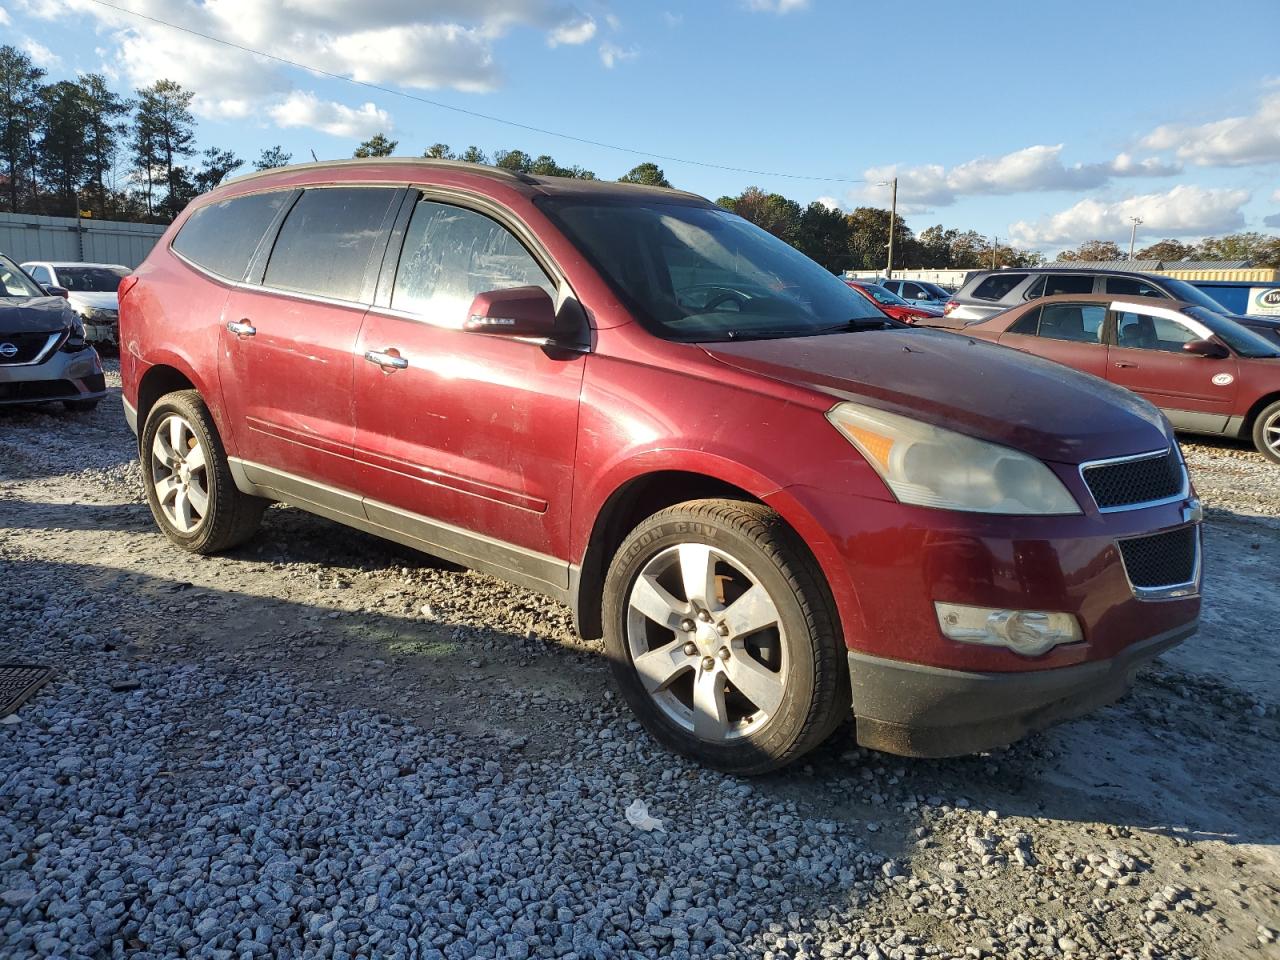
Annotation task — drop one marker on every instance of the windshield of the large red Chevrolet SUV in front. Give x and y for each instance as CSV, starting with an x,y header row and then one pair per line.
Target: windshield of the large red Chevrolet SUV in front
x,y
701,275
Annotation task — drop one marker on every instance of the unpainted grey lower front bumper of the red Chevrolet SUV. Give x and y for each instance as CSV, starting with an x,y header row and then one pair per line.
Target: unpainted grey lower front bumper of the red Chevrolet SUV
x,y
918,711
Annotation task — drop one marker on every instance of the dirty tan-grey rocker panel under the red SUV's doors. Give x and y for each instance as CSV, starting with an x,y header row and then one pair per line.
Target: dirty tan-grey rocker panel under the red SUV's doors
x,y
537,572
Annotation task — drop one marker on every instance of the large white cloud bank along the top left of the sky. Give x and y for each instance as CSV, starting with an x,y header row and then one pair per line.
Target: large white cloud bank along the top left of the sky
x,y
424,44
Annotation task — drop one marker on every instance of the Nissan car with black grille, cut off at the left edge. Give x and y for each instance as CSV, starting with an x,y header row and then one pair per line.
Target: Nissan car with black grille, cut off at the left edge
x,y
43,351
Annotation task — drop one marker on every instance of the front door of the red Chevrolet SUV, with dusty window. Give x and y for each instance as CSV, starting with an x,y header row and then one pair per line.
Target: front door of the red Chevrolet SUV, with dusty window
x,y
468,441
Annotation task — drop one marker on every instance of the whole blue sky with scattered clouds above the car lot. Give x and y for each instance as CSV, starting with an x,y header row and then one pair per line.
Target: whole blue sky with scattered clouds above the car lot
x,y
1044,124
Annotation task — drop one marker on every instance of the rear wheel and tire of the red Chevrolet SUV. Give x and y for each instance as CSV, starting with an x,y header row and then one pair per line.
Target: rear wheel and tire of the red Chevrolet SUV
x,y
190,486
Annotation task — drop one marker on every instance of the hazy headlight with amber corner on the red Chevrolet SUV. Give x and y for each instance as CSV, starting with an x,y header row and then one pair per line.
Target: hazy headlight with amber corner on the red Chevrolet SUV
x,y
935,468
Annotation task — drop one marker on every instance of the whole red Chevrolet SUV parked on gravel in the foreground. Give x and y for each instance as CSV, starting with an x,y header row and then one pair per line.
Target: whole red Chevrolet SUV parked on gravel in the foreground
x,y
772,501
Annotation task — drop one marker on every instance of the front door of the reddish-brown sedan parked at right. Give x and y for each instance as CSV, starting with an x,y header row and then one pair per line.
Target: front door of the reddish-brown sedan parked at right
x,y
1146,356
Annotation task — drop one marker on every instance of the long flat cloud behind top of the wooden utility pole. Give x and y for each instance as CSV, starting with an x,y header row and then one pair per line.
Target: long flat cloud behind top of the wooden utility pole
x,y
1036,168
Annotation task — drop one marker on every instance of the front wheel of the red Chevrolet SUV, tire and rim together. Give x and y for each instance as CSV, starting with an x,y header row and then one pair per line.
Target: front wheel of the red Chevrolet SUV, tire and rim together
x,y
724,638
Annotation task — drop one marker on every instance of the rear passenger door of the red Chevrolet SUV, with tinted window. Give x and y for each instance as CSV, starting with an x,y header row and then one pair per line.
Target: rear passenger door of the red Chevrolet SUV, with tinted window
x,y
290,335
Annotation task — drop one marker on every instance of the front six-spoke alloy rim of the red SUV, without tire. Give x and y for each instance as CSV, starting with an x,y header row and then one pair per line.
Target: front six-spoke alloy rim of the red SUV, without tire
x,y
707,642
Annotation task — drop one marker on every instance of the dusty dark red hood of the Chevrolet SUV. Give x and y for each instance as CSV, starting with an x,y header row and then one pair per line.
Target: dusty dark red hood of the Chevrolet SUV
x,y
977,388
